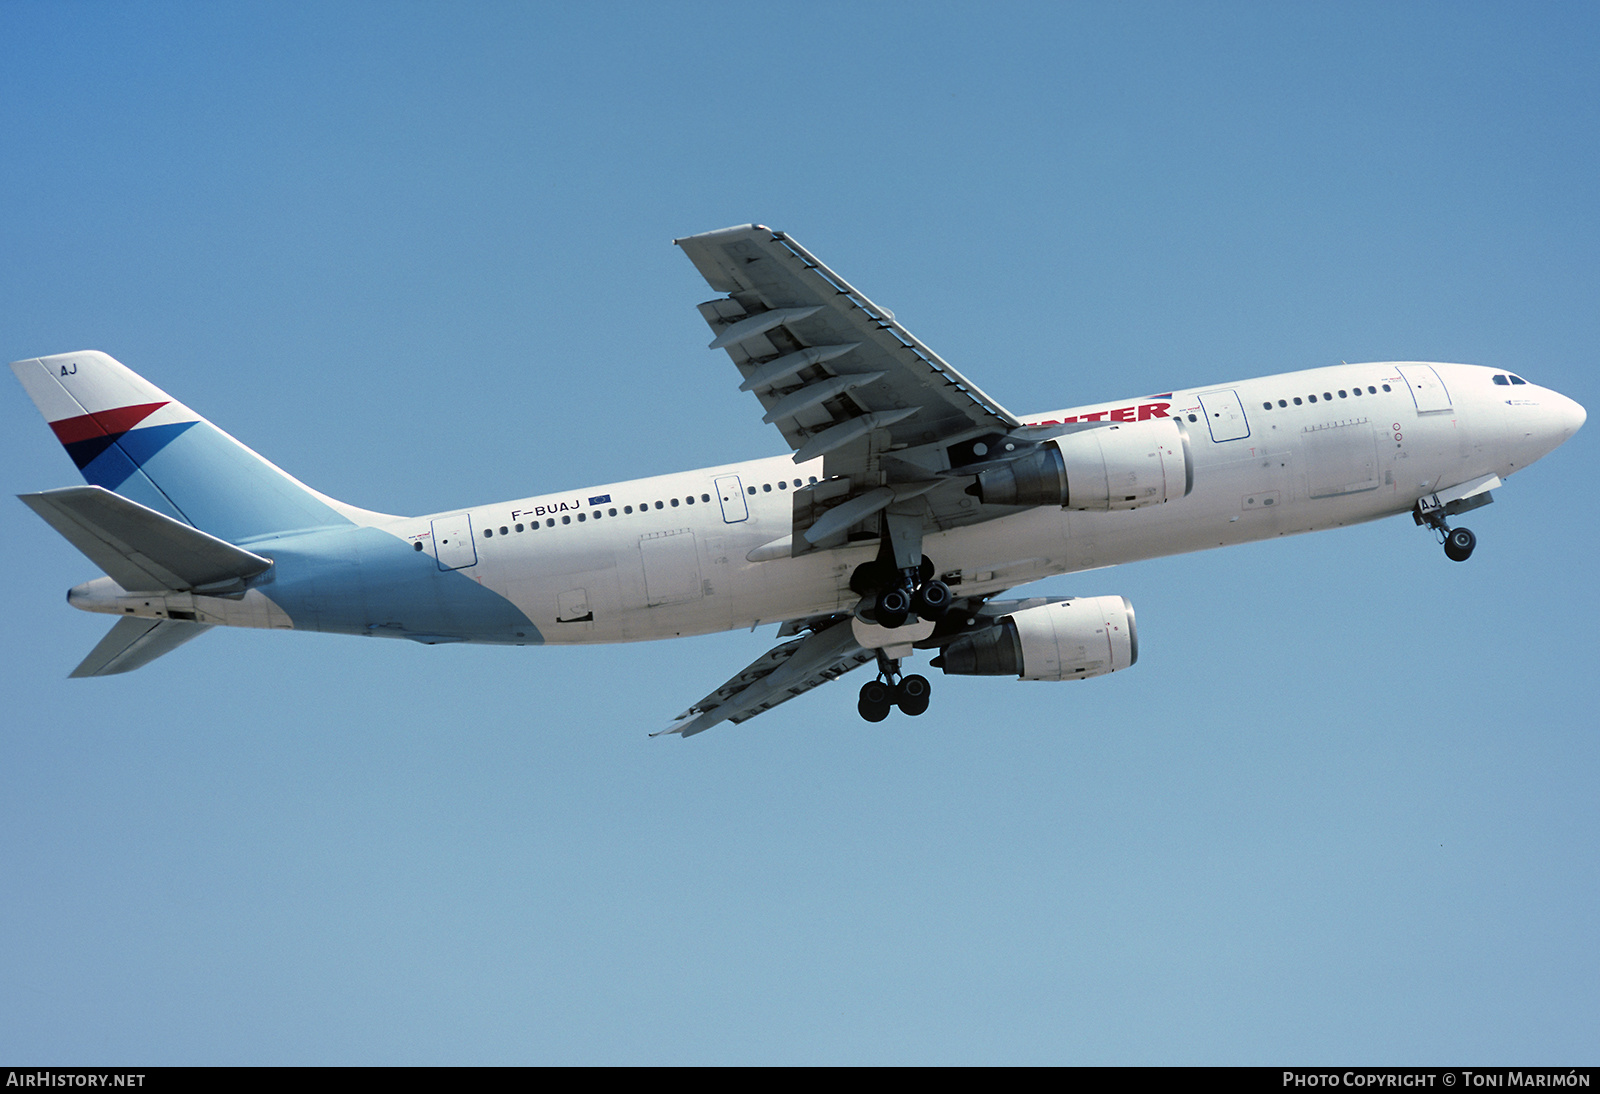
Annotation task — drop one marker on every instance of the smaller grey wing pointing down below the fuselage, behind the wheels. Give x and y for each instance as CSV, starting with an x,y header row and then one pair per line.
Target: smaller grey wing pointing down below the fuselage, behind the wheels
x,y
778,676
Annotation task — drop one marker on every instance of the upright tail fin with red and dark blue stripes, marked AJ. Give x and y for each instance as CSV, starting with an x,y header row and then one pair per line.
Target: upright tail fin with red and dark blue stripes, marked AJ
x,y
130,437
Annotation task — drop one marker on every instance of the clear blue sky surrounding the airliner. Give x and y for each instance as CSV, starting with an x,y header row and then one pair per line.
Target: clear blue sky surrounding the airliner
x,y
420,257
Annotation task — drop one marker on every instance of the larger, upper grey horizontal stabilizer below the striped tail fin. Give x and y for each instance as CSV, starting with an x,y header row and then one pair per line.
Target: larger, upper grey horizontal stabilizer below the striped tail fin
x,y
145,551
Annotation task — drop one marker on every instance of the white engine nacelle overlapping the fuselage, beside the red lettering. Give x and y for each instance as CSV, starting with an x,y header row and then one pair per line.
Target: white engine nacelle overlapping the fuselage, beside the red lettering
x,y
1116,466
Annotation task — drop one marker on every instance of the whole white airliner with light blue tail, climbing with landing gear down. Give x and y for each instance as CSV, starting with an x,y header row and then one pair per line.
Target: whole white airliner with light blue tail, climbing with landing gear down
x,y
908,506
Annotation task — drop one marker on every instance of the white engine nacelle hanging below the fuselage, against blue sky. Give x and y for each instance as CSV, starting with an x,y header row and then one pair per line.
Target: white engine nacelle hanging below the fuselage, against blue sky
x,y
1065,641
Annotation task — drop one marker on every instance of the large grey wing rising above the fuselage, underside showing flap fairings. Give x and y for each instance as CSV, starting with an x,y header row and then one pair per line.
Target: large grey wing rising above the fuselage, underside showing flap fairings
x,y
844,381
